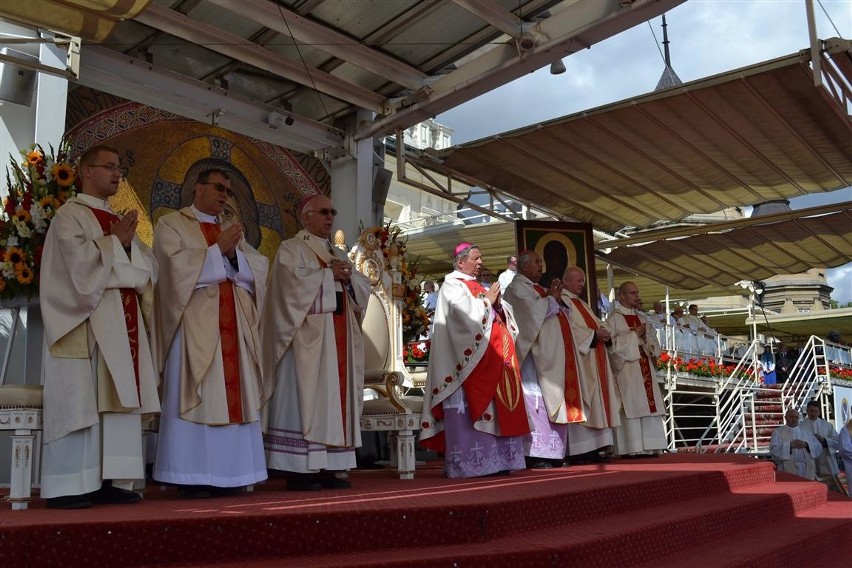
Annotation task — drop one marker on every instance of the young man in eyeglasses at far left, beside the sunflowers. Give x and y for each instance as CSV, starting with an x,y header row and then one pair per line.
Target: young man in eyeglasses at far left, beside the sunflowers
x,y
96,293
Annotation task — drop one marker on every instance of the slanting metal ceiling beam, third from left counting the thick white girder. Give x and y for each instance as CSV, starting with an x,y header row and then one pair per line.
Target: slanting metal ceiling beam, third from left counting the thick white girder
x,y
291,24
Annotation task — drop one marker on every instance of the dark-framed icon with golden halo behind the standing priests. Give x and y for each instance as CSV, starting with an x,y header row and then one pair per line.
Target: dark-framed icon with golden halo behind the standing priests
x,y
561,245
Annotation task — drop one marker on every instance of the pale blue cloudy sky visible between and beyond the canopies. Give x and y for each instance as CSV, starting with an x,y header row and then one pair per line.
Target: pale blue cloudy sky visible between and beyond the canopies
x,y
707,37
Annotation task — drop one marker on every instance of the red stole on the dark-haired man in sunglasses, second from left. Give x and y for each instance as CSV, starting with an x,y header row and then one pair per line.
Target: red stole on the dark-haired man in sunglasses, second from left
x,y
228,336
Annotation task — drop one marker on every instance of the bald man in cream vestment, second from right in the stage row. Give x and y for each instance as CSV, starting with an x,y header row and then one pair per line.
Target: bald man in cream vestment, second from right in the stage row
x,y
591,440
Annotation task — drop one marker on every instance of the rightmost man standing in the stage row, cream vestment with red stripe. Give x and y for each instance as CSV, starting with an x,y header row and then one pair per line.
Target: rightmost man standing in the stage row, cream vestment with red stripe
x,y
633,357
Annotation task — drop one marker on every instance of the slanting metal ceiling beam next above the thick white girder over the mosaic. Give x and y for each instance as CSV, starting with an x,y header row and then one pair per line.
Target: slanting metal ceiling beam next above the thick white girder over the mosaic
x,y
229,45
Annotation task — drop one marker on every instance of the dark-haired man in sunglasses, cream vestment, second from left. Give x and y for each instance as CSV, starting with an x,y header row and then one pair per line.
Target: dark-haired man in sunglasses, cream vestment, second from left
x,y
210,292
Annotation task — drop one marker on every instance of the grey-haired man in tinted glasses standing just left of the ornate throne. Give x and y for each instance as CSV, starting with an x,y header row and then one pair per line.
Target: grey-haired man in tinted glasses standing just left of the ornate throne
x,y
314,354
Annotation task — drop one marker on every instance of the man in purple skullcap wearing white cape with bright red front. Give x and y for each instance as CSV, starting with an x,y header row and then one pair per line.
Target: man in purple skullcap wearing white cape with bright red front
x,y
473,404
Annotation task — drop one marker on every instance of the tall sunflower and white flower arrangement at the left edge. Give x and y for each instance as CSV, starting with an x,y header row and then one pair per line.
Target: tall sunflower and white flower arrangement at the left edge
x,y
36,189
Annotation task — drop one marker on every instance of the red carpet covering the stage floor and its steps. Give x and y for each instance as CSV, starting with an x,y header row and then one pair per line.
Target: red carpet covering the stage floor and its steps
x,y
678,510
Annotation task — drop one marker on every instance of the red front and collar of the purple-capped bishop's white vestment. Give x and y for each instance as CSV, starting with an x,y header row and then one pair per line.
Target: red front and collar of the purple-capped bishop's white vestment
x,y
497,378
